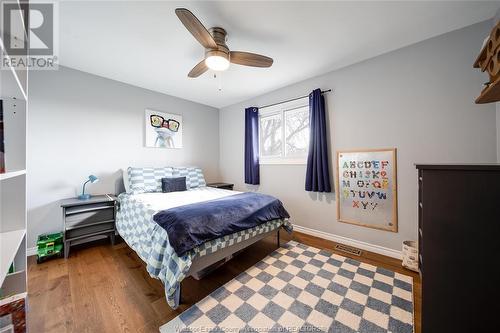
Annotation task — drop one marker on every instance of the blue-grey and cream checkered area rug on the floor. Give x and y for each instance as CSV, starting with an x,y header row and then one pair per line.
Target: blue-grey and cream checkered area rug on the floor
x,y
299,288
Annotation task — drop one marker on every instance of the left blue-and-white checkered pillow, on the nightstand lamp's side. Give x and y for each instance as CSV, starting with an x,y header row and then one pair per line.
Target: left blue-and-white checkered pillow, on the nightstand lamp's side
x,y
144,180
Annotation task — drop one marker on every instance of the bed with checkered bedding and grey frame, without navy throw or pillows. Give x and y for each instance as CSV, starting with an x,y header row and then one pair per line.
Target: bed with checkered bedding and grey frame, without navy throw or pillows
x,y
135,224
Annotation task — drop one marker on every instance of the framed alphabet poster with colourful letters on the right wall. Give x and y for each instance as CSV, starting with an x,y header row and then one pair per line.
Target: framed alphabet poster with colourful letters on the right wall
x,y
367,188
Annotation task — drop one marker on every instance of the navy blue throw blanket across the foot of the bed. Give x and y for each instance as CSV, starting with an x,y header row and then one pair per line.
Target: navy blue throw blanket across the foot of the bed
x,y
191,225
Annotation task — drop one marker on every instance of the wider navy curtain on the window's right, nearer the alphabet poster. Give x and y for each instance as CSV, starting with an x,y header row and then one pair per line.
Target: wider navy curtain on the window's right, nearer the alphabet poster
x,y
317,175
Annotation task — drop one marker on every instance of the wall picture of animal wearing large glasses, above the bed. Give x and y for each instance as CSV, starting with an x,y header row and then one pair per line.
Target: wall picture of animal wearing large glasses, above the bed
x,y
163,130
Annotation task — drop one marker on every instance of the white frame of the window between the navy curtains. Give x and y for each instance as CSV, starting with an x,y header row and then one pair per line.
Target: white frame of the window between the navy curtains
x,y
280,109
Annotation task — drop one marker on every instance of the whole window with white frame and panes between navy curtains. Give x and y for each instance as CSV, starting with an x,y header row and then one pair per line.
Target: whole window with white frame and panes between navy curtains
x,y
284,133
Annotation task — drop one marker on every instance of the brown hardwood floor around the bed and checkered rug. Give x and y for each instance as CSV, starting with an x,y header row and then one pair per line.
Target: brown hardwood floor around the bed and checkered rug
x,y
106,288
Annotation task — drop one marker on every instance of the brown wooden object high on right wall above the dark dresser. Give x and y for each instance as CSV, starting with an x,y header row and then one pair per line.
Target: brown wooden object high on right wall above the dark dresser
x,y
489,60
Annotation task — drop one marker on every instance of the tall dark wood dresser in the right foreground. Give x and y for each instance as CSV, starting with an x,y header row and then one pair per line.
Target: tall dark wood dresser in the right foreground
x,y
458,240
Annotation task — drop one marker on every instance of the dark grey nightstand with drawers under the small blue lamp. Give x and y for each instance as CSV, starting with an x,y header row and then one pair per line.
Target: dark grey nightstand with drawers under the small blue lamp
x,y
86,220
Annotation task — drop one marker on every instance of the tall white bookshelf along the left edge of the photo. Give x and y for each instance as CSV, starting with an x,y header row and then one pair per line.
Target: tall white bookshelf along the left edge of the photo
x,y
14,96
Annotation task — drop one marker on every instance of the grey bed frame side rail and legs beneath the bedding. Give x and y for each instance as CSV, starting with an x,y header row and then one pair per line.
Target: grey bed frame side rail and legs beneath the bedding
x,y
202,266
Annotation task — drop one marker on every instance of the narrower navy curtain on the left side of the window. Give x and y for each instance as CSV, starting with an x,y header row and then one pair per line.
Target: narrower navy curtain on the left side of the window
x,y
252,146
